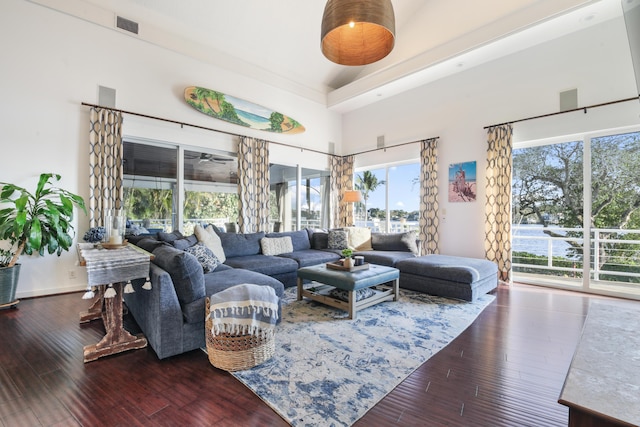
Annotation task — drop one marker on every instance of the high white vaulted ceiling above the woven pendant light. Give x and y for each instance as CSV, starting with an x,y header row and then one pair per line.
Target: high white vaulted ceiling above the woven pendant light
x,y
278,41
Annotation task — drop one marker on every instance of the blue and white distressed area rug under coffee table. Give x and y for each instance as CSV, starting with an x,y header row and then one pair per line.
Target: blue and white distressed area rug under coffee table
x,y
328,370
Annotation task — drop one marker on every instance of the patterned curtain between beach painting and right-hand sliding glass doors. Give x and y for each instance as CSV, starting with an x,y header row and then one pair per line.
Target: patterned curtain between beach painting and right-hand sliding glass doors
x,y
498,207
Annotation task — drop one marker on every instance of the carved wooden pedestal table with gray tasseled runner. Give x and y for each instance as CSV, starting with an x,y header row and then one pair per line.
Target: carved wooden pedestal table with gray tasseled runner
x,y
111,268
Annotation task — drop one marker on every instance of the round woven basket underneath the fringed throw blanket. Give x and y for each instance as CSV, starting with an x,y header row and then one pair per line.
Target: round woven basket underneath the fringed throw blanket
x,y
237,352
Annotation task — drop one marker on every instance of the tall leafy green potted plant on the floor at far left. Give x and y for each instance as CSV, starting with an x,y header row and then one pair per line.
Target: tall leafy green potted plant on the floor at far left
x,y
33,223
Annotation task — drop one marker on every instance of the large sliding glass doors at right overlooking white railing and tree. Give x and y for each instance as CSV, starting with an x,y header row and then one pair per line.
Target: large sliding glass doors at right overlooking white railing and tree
x,y
576,213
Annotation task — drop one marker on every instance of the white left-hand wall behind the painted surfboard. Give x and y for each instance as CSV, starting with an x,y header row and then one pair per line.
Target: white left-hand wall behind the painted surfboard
x,y
52,62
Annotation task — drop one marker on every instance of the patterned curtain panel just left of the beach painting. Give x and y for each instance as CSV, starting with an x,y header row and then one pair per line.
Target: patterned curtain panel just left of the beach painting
x,y
429,204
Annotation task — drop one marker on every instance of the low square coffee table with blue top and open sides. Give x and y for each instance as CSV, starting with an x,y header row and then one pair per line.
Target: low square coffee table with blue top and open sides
x,y
384,279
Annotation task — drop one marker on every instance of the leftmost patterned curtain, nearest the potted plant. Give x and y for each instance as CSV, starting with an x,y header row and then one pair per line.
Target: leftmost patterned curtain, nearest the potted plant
x,y
105,164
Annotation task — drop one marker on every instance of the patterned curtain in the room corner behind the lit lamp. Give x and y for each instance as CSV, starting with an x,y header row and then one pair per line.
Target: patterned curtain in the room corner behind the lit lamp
x,y
341,180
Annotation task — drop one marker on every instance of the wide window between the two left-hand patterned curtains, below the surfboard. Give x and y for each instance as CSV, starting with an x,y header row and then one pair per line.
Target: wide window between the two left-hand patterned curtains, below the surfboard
x,y
170,187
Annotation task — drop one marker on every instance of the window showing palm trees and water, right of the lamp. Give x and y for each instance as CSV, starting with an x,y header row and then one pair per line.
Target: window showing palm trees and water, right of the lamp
x,y
391,198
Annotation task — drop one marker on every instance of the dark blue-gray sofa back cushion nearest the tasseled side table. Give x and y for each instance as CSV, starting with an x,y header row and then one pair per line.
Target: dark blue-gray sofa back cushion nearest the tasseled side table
x,y
185,271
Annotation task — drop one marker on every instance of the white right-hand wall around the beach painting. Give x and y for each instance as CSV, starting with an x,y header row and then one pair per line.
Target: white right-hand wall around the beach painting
x,y
596,61
